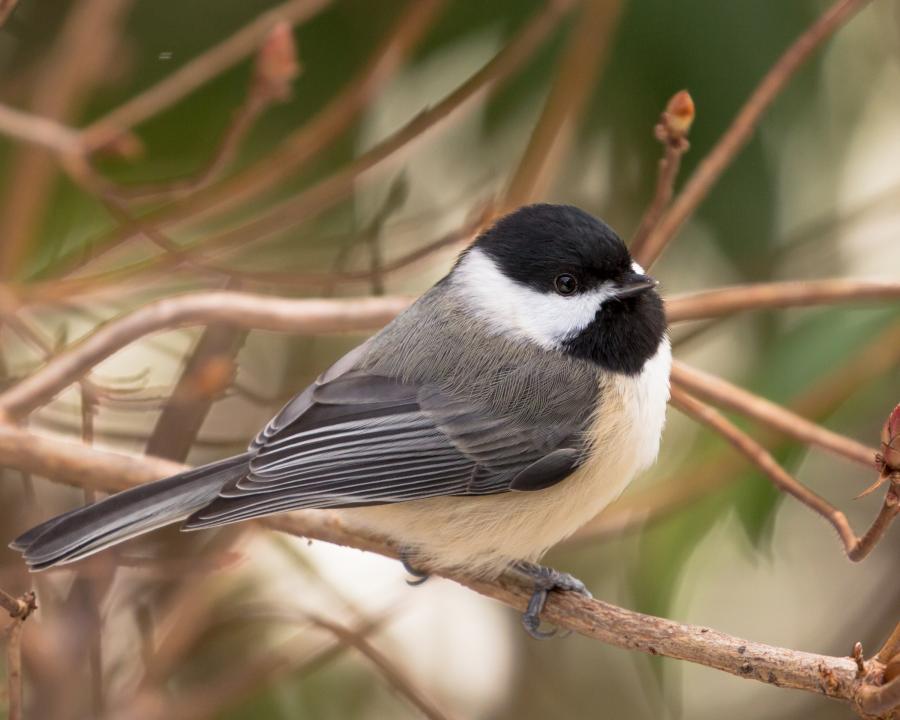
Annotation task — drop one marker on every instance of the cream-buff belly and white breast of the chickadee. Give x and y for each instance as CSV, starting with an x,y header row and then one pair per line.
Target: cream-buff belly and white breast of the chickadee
x,y
483,534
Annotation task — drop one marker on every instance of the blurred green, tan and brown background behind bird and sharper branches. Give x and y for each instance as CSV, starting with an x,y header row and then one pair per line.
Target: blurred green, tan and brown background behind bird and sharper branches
x,y
314,193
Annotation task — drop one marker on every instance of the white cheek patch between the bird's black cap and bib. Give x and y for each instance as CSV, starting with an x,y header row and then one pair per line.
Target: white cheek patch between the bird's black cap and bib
x,y
513,309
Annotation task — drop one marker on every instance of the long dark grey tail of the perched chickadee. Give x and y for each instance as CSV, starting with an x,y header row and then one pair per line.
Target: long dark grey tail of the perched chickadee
x,y
92,528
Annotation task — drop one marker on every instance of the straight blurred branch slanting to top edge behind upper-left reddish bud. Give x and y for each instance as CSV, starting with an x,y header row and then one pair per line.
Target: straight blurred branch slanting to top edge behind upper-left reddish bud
x,y
196,72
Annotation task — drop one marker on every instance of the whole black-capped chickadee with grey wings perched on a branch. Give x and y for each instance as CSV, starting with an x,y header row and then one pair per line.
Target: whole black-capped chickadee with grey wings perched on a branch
x,y
504,409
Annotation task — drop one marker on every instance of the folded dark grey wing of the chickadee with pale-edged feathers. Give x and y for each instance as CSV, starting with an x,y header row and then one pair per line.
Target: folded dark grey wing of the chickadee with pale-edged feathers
x,y
358,438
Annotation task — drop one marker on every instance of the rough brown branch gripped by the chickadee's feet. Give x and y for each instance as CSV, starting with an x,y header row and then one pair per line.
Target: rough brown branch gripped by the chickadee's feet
x,y
831,676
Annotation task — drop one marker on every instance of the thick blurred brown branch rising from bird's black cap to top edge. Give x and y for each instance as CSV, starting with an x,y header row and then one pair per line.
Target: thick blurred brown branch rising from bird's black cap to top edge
x,y
575,80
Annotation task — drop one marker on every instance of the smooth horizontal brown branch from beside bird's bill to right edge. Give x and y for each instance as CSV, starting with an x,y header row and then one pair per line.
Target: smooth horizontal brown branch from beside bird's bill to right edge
x,y
777,295
